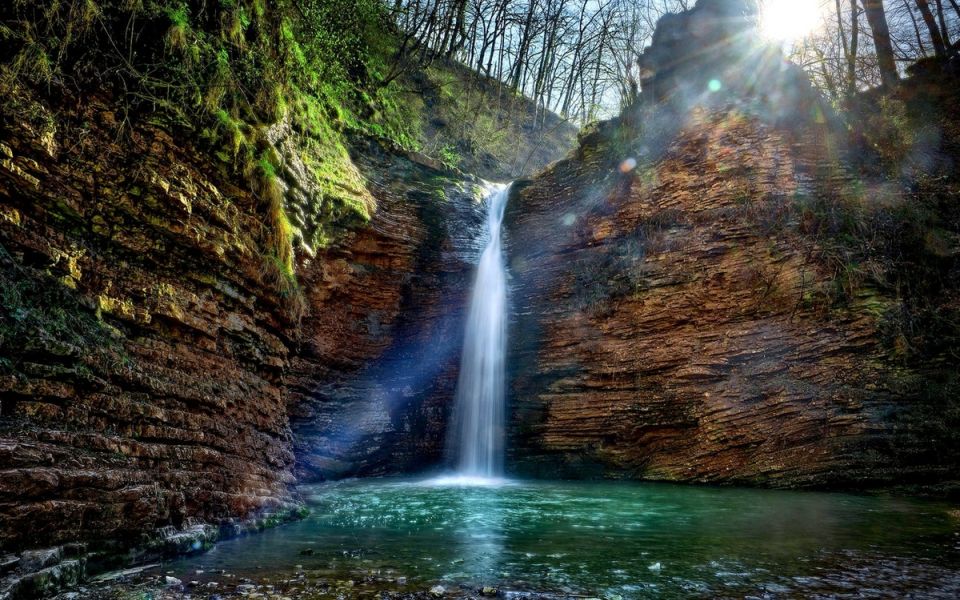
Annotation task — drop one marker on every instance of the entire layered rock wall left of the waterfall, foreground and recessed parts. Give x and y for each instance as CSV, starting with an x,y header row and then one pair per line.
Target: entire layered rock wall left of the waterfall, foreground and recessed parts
x,y
150,369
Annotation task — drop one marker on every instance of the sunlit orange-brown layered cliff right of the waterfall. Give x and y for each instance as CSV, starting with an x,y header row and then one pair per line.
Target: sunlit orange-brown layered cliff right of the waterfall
x,y
674,315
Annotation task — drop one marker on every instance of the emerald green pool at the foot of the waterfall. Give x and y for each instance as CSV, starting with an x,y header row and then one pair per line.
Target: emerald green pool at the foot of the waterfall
x,y
628,540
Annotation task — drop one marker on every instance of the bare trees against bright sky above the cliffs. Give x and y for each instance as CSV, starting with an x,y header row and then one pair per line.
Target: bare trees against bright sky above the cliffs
x,y
579,57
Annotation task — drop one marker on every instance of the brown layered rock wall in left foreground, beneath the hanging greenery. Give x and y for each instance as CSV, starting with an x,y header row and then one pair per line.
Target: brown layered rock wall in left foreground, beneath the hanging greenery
x,y
170,408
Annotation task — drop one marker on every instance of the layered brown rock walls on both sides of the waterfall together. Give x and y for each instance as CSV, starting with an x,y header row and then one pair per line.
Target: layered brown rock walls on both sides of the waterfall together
x,y
678,312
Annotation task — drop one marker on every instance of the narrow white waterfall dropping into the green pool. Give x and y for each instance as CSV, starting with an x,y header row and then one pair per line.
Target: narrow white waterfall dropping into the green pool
x,y
477,436
